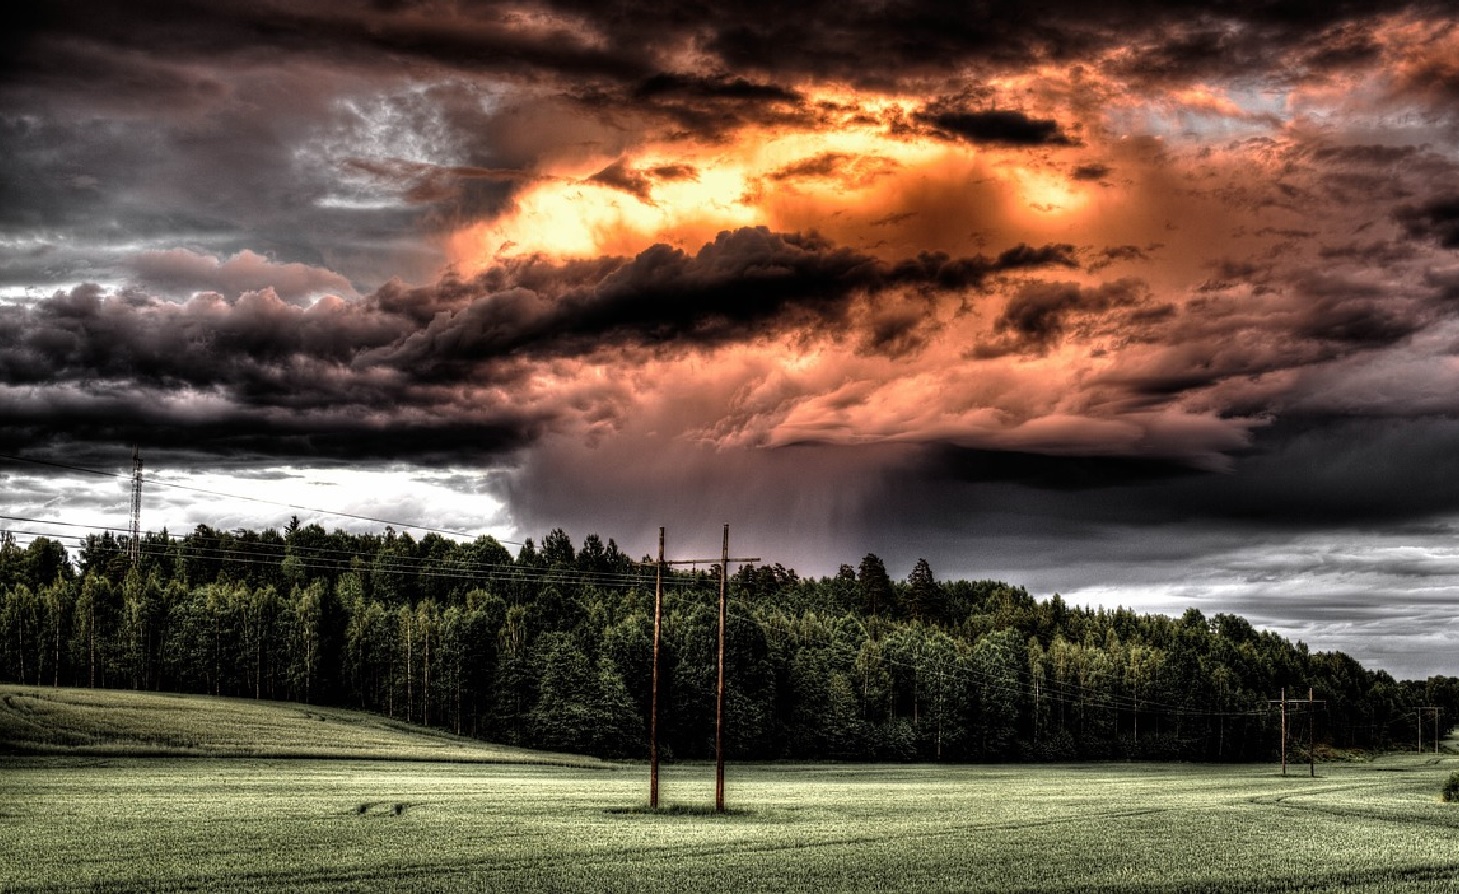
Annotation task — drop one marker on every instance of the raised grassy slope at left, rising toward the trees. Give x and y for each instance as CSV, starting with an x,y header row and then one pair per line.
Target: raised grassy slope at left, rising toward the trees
x,y
117,723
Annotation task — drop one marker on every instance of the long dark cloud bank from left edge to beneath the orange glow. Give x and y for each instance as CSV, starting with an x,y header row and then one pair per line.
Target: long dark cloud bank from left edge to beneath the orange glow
x,y
221,365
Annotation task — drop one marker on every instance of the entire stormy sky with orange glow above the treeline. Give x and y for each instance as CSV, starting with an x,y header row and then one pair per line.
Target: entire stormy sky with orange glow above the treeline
x,y
1155,306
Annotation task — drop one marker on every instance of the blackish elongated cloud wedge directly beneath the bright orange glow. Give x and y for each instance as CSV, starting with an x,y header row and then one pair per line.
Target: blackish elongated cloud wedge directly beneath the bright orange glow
x,y
733,289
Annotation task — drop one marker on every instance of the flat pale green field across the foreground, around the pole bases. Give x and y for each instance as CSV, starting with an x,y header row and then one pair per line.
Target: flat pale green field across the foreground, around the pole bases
x,y
258,823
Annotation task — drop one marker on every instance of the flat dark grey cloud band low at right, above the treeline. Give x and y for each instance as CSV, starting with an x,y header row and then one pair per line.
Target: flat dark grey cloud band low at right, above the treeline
x,y
1298,473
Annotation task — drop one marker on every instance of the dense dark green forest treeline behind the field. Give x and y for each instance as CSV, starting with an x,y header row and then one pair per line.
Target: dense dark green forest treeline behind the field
x,y
552,648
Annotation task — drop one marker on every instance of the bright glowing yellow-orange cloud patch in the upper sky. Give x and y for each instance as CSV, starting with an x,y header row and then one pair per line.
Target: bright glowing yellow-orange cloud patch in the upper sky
x,y
864,179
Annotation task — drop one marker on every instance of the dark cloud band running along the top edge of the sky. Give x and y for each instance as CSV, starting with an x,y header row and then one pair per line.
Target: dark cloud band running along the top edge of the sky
x,y
856,42
